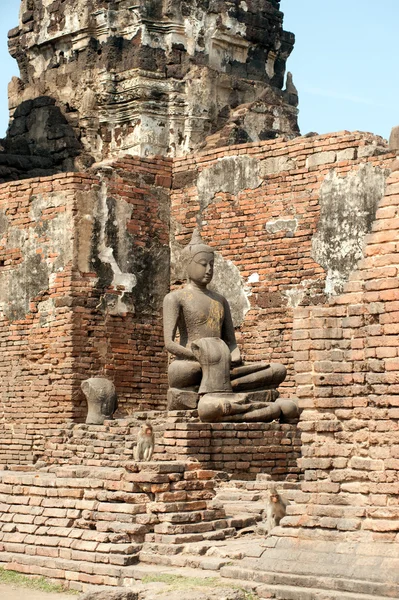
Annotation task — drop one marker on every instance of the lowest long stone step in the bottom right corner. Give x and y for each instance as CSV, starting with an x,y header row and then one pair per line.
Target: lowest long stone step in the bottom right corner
x,y
315,584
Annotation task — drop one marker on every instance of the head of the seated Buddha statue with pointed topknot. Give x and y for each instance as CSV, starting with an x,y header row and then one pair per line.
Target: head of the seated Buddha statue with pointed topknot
x,y
199,260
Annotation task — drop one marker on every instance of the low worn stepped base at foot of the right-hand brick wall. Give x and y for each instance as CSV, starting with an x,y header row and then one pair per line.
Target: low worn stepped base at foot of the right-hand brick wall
x,y
322,569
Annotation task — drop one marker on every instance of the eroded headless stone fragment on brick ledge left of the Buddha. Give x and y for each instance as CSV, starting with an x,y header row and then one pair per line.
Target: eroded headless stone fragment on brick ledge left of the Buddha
x,y
101,399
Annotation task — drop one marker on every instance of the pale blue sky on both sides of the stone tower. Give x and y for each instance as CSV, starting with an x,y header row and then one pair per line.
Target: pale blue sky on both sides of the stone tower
x,y
344,63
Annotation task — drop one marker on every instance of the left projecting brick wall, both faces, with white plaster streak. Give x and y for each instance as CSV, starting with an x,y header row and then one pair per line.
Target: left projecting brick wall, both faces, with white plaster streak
x,y
58,323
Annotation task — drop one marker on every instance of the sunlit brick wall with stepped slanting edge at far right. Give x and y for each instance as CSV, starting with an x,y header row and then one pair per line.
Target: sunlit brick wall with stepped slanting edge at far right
x,y
347,363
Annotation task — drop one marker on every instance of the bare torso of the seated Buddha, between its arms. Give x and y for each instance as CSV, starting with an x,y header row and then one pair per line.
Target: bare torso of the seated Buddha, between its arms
x,y
201,314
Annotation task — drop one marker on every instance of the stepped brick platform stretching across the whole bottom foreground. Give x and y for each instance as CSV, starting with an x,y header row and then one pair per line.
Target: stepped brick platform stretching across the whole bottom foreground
x,y
113,527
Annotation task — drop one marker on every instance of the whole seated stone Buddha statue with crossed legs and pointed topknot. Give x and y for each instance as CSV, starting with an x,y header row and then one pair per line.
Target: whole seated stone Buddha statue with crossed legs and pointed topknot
x,y
208,372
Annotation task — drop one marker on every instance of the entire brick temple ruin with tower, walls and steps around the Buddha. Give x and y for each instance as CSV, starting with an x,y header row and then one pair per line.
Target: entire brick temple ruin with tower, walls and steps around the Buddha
x,y
130,124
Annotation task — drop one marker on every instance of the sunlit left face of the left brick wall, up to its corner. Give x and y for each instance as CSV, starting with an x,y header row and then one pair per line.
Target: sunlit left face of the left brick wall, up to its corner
x,y
36,326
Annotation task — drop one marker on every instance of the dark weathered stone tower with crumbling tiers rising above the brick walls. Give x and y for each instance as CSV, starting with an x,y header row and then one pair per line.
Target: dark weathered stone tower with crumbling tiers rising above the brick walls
x,y
99,78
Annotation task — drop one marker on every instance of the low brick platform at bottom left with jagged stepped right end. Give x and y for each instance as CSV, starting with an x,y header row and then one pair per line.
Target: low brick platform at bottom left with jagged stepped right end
x,y
91,523
